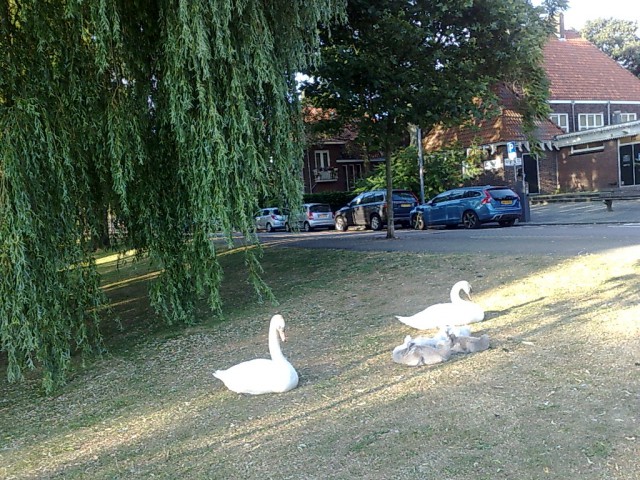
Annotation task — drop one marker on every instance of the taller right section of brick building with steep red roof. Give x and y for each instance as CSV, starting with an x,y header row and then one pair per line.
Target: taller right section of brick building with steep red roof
x,y
596,102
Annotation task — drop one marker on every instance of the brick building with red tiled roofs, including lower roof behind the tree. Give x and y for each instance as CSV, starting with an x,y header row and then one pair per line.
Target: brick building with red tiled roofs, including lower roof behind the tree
x,y
595,105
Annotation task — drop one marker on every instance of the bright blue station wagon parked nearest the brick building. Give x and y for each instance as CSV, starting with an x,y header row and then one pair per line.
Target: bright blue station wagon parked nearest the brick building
x,y
469,206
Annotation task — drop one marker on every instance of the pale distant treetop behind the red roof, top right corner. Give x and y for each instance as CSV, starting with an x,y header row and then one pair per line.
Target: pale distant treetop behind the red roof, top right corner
x,y
617,38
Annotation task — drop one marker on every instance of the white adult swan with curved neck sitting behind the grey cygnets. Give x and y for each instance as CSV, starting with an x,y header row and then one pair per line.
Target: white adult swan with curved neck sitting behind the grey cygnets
x,y
458,312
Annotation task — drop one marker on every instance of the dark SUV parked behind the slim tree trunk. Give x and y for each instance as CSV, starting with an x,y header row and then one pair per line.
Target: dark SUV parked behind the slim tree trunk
x,y
369,209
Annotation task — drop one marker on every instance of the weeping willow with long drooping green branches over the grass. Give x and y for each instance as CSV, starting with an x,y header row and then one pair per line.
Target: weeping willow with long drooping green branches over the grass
x,y
168,113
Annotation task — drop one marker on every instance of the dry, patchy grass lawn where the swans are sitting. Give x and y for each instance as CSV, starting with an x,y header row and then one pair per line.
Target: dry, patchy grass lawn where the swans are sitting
x,y
556,396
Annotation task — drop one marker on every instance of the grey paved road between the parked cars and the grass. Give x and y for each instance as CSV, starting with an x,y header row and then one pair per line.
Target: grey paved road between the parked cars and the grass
x,y
566,229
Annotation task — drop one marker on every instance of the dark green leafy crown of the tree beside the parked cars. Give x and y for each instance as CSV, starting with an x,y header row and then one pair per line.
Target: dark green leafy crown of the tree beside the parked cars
x,y
396,63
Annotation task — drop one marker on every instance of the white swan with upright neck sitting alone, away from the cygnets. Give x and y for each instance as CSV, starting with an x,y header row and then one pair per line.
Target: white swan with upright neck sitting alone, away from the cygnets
x,y
261,375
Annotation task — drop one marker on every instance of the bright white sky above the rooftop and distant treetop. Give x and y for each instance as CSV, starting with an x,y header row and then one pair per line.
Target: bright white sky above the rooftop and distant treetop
x,y
581,11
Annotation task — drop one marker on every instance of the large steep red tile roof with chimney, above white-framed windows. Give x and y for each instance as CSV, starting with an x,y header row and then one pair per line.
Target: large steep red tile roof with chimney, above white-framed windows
x,y
578,70
